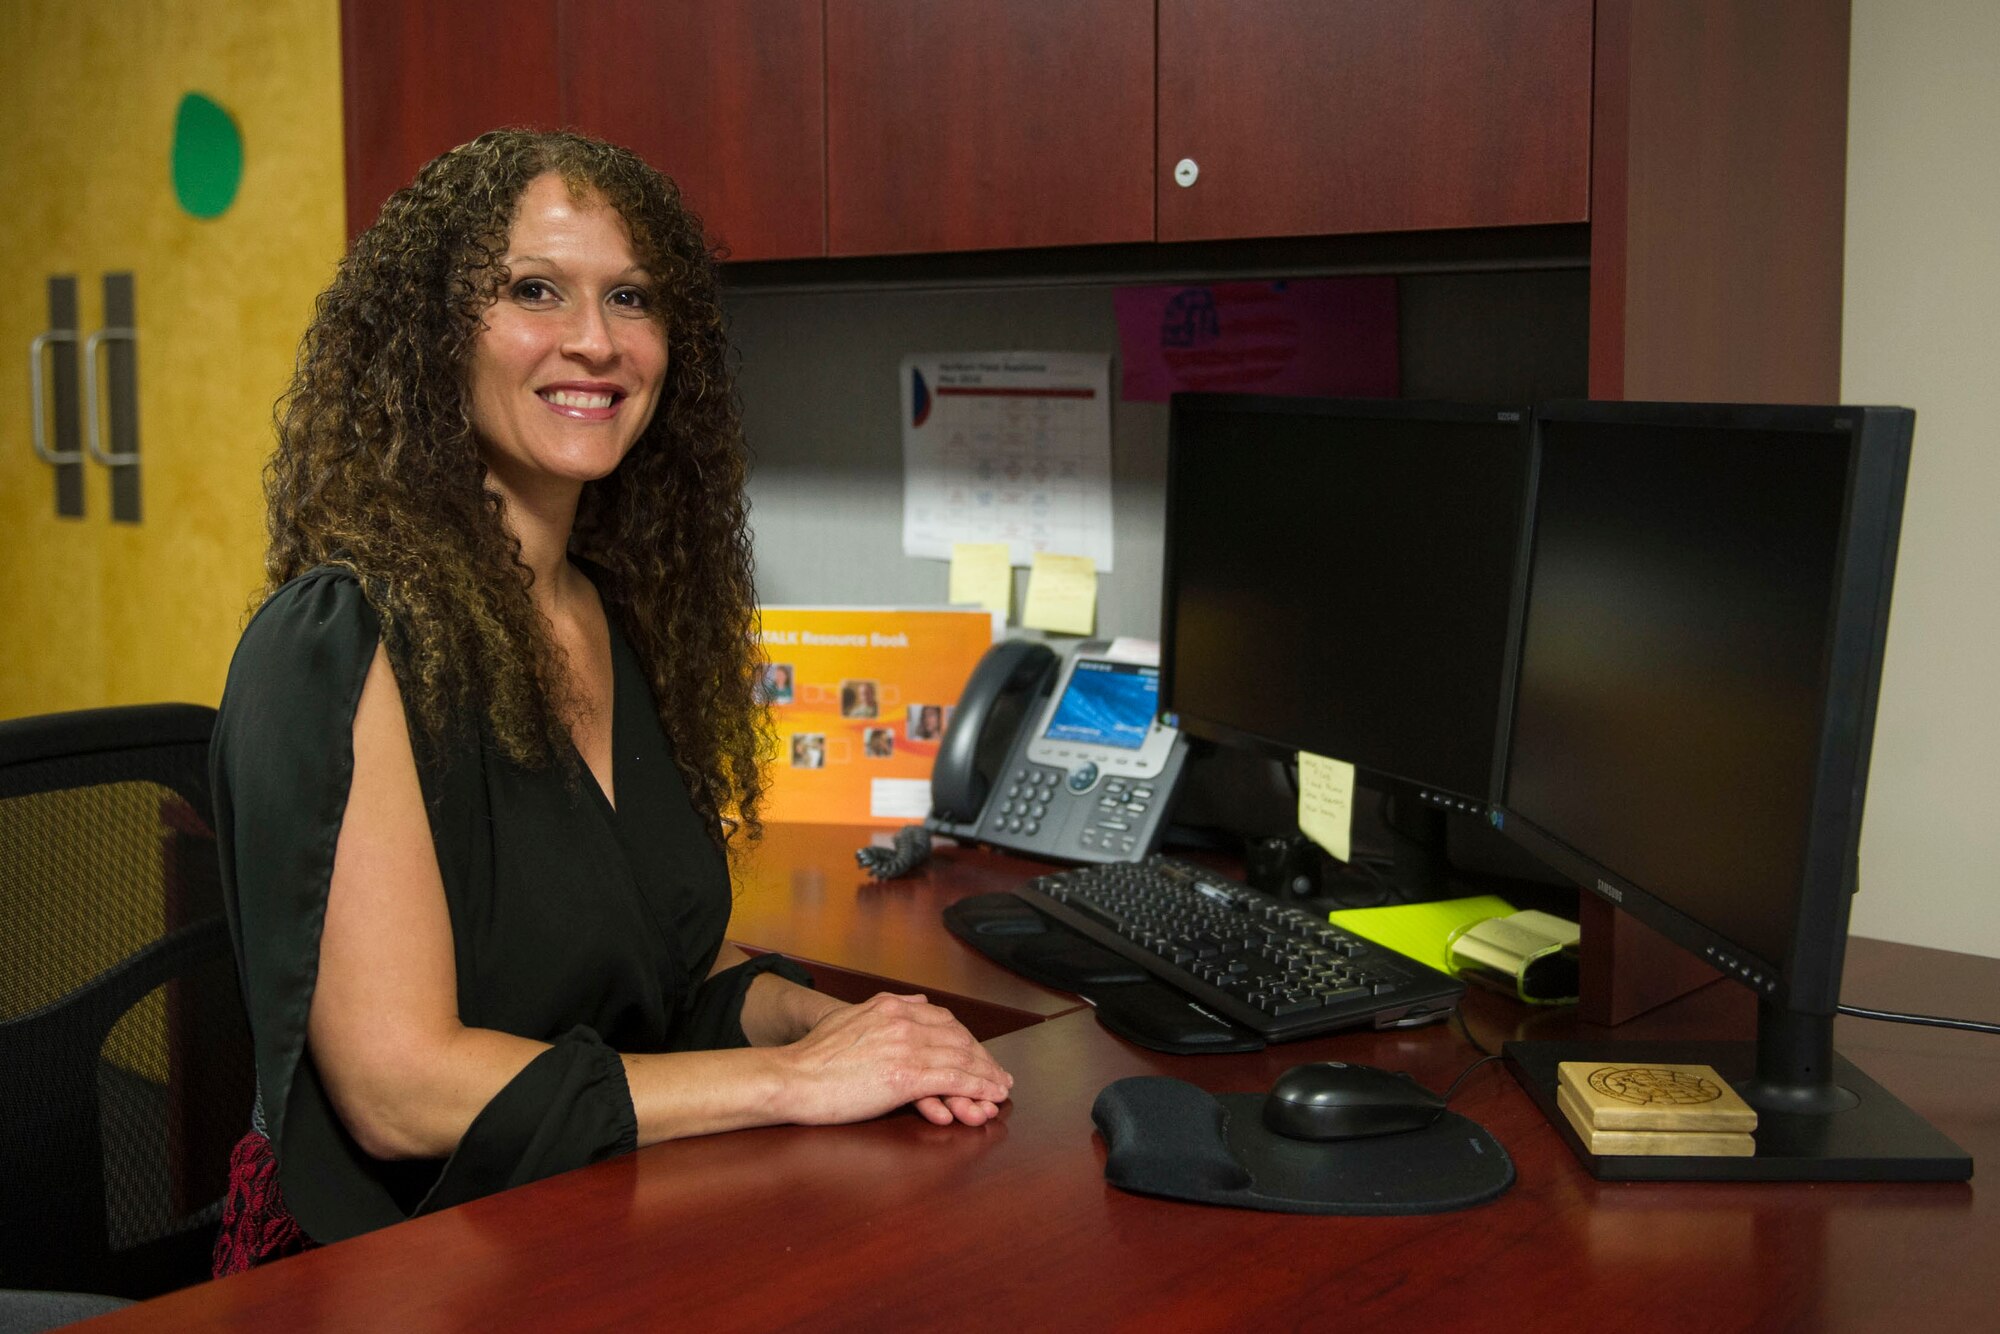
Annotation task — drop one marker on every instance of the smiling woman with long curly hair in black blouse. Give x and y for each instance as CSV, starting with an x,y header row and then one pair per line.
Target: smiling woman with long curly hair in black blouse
x,y
493,737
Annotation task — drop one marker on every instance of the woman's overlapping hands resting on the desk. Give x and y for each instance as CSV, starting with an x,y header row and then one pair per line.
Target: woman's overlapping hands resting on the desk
x,y
885,1053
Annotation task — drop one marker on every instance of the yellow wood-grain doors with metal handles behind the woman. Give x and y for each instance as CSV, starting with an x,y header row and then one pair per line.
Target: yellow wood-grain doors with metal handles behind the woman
x,y
99,613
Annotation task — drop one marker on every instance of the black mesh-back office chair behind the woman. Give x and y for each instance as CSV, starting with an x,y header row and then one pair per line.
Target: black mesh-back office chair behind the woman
x,y
125,1055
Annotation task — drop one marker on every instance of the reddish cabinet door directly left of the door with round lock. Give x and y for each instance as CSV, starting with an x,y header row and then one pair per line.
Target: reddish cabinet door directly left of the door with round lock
x,y
973,125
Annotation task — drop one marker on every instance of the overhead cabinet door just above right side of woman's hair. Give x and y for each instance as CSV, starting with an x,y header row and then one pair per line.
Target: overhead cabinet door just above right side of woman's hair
x,y
727,99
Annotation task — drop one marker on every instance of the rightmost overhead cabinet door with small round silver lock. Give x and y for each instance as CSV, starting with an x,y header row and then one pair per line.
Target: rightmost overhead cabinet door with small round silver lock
x,y
1315,117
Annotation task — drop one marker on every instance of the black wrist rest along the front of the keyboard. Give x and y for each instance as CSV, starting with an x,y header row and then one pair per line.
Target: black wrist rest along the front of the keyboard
x,y
1127,999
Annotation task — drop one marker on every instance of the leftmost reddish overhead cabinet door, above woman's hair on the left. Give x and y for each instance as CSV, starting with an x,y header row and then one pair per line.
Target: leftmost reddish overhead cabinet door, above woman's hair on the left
x,y
421,79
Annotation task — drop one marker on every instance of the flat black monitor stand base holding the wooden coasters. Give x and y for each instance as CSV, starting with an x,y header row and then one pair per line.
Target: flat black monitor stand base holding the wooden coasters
x,y
1819,1117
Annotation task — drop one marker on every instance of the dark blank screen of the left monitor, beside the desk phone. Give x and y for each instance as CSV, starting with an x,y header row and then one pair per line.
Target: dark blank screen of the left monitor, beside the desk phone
x,y
1339,579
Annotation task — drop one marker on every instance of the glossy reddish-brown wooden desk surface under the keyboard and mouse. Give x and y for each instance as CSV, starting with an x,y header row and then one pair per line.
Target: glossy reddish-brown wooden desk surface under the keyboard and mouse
x,y
903,1225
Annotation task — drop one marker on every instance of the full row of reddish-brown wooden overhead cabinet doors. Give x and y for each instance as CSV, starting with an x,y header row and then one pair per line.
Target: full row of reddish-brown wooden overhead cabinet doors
x,y
905,127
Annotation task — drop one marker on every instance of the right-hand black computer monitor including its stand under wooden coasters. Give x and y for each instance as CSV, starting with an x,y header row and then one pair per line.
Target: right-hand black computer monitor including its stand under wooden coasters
x,y
1699,641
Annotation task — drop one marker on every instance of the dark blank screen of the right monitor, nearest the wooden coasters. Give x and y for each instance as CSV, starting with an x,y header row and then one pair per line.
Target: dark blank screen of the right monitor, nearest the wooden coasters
x,y
1673,663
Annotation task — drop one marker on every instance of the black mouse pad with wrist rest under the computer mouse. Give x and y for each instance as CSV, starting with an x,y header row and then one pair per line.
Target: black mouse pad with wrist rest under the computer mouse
x,y
1171,1139
